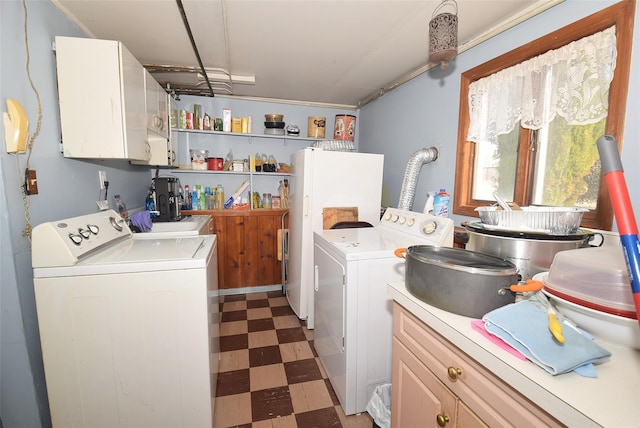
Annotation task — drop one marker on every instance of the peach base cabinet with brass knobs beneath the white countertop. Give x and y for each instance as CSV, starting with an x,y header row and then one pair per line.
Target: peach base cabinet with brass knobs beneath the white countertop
x,y
436,384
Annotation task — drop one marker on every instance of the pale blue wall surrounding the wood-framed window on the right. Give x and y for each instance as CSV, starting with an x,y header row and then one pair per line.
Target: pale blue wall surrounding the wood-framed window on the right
x,y
424,111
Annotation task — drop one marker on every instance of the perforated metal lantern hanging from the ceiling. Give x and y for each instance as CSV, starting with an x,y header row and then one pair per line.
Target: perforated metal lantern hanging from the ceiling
x,y
443,34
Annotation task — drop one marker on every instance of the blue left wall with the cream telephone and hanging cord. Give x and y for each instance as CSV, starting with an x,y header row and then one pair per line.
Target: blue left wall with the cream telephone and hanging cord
x,y
67,187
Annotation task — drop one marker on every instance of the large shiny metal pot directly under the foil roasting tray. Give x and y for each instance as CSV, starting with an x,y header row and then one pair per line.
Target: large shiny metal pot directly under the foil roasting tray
x,y
531,252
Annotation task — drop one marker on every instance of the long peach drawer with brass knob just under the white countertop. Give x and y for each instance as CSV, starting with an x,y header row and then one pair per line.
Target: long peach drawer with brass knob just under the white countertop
x,y
495,402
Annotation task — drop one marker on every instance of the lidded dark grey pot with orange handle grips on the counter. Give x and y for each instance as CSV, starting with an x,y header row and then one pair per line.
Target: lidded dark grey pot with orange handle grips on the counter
x,y
460,281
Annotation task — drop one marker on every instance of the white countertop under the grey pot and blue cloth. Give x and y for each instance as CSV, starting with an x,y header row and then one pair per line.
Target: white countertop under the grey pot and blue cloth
x,y
611,400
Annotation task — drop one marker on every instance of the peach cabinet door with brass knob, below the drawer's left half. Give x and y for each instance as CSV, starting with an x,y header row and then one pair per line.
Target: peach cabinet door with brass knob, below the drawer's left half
x,y
418,398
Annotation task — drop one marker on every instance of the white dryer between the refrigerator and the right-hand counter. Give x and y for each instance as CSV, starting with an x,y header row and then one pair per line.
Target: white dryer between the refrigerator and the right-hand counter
x,y
353,313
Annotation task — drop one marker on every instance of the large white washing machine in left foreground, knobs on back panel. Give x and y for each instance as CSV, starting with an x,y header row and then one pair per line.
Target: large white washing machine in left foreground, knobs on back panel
x,y
128,327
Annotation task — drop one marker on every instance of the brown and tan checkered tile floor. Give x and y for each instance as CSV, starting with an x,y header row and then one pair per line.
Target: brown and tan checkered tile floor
x,y
270,375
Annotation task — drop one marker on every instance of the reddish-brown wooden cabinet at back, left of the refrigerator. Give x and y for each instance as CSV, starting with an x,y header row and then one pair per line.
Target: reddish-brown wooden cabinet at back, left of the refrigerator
x,y
247,247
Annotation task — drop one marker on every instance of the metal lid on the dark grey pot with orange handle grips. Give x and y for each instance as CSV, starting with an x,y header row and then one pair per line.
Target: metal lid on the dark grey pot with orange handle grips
x,y
460,259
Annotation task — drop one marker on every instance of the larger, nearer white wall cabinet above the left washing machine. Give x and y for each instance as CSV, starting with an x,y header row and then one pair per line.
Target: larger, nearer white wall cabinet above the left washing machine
x,y
101,90
